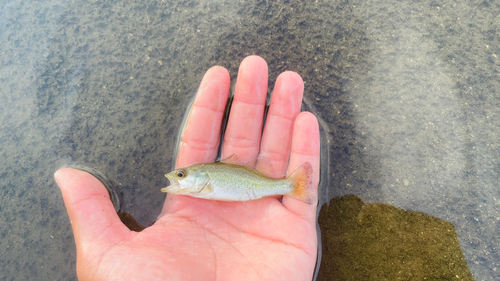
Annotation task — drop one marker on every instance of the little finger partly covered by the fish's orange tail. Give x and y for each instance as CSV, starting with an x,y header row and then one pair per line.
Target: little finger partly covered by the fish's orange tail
x,y
305,148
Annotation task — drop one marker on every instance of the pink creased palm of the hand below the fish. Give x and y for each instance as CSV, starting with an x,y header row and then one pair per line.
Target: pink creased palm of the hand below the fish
x,y
212,242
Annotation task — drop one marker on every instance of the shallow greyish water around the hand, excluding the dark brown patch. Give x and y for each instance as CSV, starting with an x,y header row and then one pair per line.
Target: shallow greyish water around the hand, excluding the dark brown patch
x,y
407,95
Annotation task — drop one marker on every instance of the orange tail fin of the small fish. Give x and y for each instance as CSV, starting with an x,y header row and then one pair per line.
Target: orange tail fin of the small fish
x,y
302,179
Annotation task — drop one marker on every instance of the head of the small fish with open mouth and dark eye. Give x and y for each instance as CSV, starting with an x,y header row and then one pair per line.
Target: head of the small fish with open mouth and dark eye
x,y
190,180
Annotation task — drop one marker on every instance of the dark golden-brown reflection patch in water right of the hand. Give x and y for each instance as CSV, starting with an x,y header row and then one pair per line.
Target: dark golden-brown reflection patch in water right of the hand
x,y
381,242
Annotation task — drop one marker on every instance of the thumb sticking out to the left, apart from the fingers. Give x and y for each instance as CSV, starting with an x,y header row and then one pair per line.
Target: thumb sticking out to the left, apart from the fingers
x,y
90,210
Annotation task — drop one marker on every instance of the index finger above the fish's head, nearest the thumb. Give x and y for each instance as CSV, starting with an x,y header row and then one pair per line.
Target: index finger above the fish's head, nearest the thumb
x,y
200,141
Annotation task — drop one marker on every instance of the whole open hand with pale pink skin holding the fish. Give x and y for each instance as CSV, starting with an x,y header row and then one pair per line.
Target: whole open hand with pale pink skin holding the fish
x,y
271,238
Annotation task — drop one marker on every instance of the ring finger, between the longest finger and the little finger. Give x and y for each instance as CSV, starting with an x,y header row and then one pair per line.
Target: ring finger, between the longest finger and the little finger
x,y
283,109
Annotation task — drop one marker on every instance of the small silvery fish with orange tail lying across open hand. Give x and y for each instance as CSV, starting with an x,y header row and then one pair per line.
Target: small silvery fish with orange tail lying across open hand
x,y
232,182
